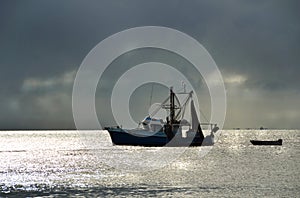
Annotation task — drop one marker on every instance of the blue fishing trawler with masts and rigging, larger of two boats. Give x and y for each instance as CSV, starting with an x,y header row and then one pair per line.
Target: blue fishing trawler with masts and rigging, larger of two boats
x,y
157,132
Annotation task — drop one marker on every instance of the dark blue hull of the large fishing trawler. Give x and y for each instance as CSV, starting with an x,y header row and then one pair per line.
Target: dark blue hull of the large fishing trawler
x,y
146,138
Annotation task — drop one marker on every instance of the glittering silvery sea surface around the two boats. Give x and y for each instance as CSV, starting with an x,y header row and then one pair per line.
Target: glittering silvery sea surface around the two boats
x,y
84,163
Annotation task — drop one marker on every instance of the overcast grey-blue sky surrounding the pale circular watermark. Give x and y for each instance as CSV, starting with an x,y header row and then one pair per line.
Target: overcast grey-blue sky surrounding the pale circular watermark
x,y
255,45
